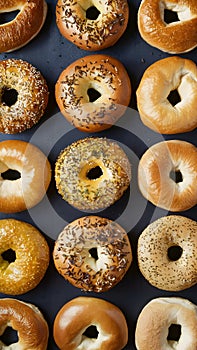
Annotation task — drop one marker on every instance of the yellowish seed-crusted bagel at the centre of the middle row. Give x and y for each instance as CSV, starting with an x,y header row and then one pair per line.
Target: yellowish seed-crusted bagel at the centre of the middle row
x,y
92,173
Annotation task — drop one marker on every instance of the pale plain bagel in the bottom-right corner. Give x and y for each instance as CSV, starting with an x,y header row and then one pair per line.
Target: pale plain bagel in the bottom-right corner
x,y
167,323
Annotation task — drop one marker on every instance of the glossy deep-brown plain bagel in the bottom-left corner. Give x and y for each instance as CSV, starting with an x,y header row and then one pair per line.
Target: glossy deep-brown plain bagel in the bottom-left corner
x,y
29,323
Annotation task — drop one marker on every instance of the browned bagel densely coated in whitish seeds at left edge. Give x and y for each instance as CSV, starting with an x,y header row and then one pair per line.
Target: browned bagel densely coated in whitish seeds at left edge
x,y
23,96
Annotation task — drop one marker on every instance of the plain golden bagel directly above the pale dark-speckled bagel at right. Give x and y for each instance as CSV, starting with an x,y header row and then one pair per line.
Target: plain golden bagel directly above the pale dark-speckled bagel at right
x,y
167,175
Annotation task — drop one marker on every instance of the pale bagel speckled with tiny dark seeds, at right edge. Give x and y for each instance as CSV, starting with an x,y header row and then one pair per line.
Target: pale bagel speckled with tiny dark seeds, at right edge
x,y
157,262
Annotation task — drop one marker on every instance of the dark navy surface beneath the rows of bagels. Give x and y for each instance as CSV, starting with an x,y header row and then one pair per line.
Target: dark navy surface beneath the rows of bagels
x,y
51,53
